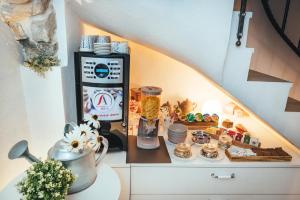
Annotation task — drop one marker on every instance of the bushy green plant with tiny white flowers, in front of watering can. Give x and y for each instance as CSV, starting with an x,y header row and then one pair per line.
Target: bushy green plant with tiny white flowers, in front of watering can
x,y
48,180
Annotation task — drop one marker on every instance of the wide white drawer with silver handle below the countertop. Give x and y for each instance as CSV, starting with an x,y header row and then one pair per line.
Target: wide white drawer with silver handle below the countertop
x,y
178,180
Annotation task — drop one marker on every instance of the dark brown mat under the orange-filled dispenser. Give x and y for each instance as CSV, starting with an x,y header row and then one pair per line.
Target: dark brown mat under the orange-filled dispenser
x,y
138,155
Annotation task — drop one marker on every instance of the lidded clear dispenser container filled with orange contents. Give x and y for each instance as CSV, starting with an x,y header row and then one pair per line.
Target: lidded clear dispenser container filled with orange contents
x,y
150,100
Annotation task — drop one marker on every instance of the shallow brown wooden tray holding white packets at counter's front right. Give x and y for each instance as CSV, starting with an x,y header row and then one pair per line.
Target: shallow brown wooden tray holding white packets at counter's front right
x,y
262,155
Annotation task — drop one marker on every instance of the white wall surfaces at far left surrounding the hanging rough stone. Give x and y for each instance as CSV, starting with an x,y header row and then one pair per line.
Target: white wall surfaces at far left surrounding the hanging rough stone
x,y
32,107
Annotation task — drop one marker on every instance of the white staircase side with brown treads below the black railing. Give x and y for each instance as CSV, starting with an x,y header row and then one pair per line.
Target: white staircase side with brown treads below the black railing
x,y
265,95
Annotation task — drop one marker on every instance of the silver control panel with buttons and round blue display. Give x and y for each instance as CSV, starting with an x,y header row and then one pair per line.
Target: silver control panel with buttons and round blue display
x,y
102,70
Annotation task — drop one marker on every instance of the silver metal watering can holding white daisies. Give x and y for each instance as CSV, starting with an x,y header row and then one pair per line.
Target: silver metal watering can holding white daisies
x,y
83,165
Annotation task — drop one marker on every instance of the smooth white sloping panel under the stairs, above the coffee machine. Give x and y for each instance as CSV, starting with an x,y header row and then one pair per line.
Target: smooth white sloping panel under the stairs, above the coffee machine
x,y
195,32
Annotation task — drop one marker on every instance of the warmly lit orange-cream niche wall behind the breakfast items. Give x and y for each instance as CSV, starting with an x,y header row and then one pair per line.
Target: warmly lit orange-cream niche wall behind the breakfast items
x,y
178,81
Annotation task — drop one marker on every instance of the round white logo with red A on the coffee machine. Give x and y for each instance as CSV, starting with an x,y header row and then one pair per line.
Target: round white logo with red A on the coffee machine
x,y
103,101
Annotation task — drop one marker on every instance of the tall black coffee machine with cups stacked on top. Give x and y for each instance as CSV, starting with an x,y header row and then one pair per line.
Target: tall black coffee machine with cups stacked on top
x,y
102,89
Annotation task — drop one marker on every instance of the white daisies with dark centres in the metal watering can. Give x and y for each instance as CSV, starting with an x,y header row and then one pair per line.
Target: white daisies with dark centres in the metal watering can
x,y
83,136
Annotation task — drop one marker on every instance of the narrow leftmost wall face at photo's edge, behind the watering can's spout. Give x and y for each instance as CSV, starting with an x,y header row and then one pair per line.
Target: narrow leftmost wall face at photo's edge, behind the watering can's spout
x,y
13,118
